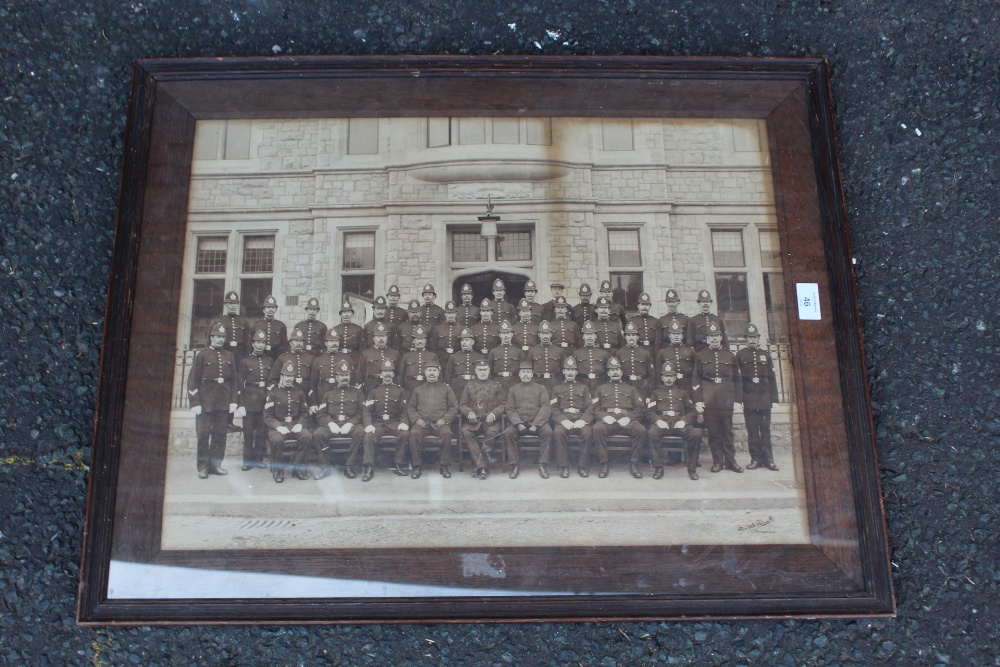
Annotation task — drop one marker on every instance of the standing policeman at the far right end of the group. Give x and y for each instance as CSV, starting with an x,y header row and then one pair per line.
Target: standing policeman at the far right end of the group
x,y
760,392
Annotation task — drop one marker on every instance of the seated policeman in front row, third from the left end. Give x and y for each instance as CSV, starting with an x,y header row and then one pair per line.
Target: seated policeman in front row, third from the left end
x,y
385,414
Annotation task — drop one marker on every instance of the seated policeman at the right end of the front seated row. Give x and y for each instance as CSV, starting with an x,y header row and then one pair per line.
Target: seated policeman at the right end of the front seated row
x,y
671,412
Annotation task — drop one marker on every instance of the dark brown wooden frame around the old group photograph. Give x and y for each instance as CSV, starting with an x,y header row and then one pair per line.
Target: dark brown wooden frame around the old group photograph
x,y
840,570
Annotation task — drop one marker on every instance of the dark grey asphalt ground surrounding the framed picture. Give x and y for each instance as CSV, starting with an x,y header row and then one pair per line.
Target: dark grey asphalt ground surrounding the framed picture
x,y
923,208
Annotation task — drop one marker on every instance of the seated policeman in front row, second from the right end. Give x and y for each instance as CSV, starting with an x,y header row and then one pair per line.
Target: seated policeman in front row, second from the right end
x,y
617,409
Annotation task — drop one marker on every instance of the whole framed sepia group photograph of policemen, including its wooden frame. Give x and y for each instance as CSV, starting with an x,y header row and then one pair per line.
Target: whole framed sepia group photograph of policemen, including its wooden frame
x,y
414,339
